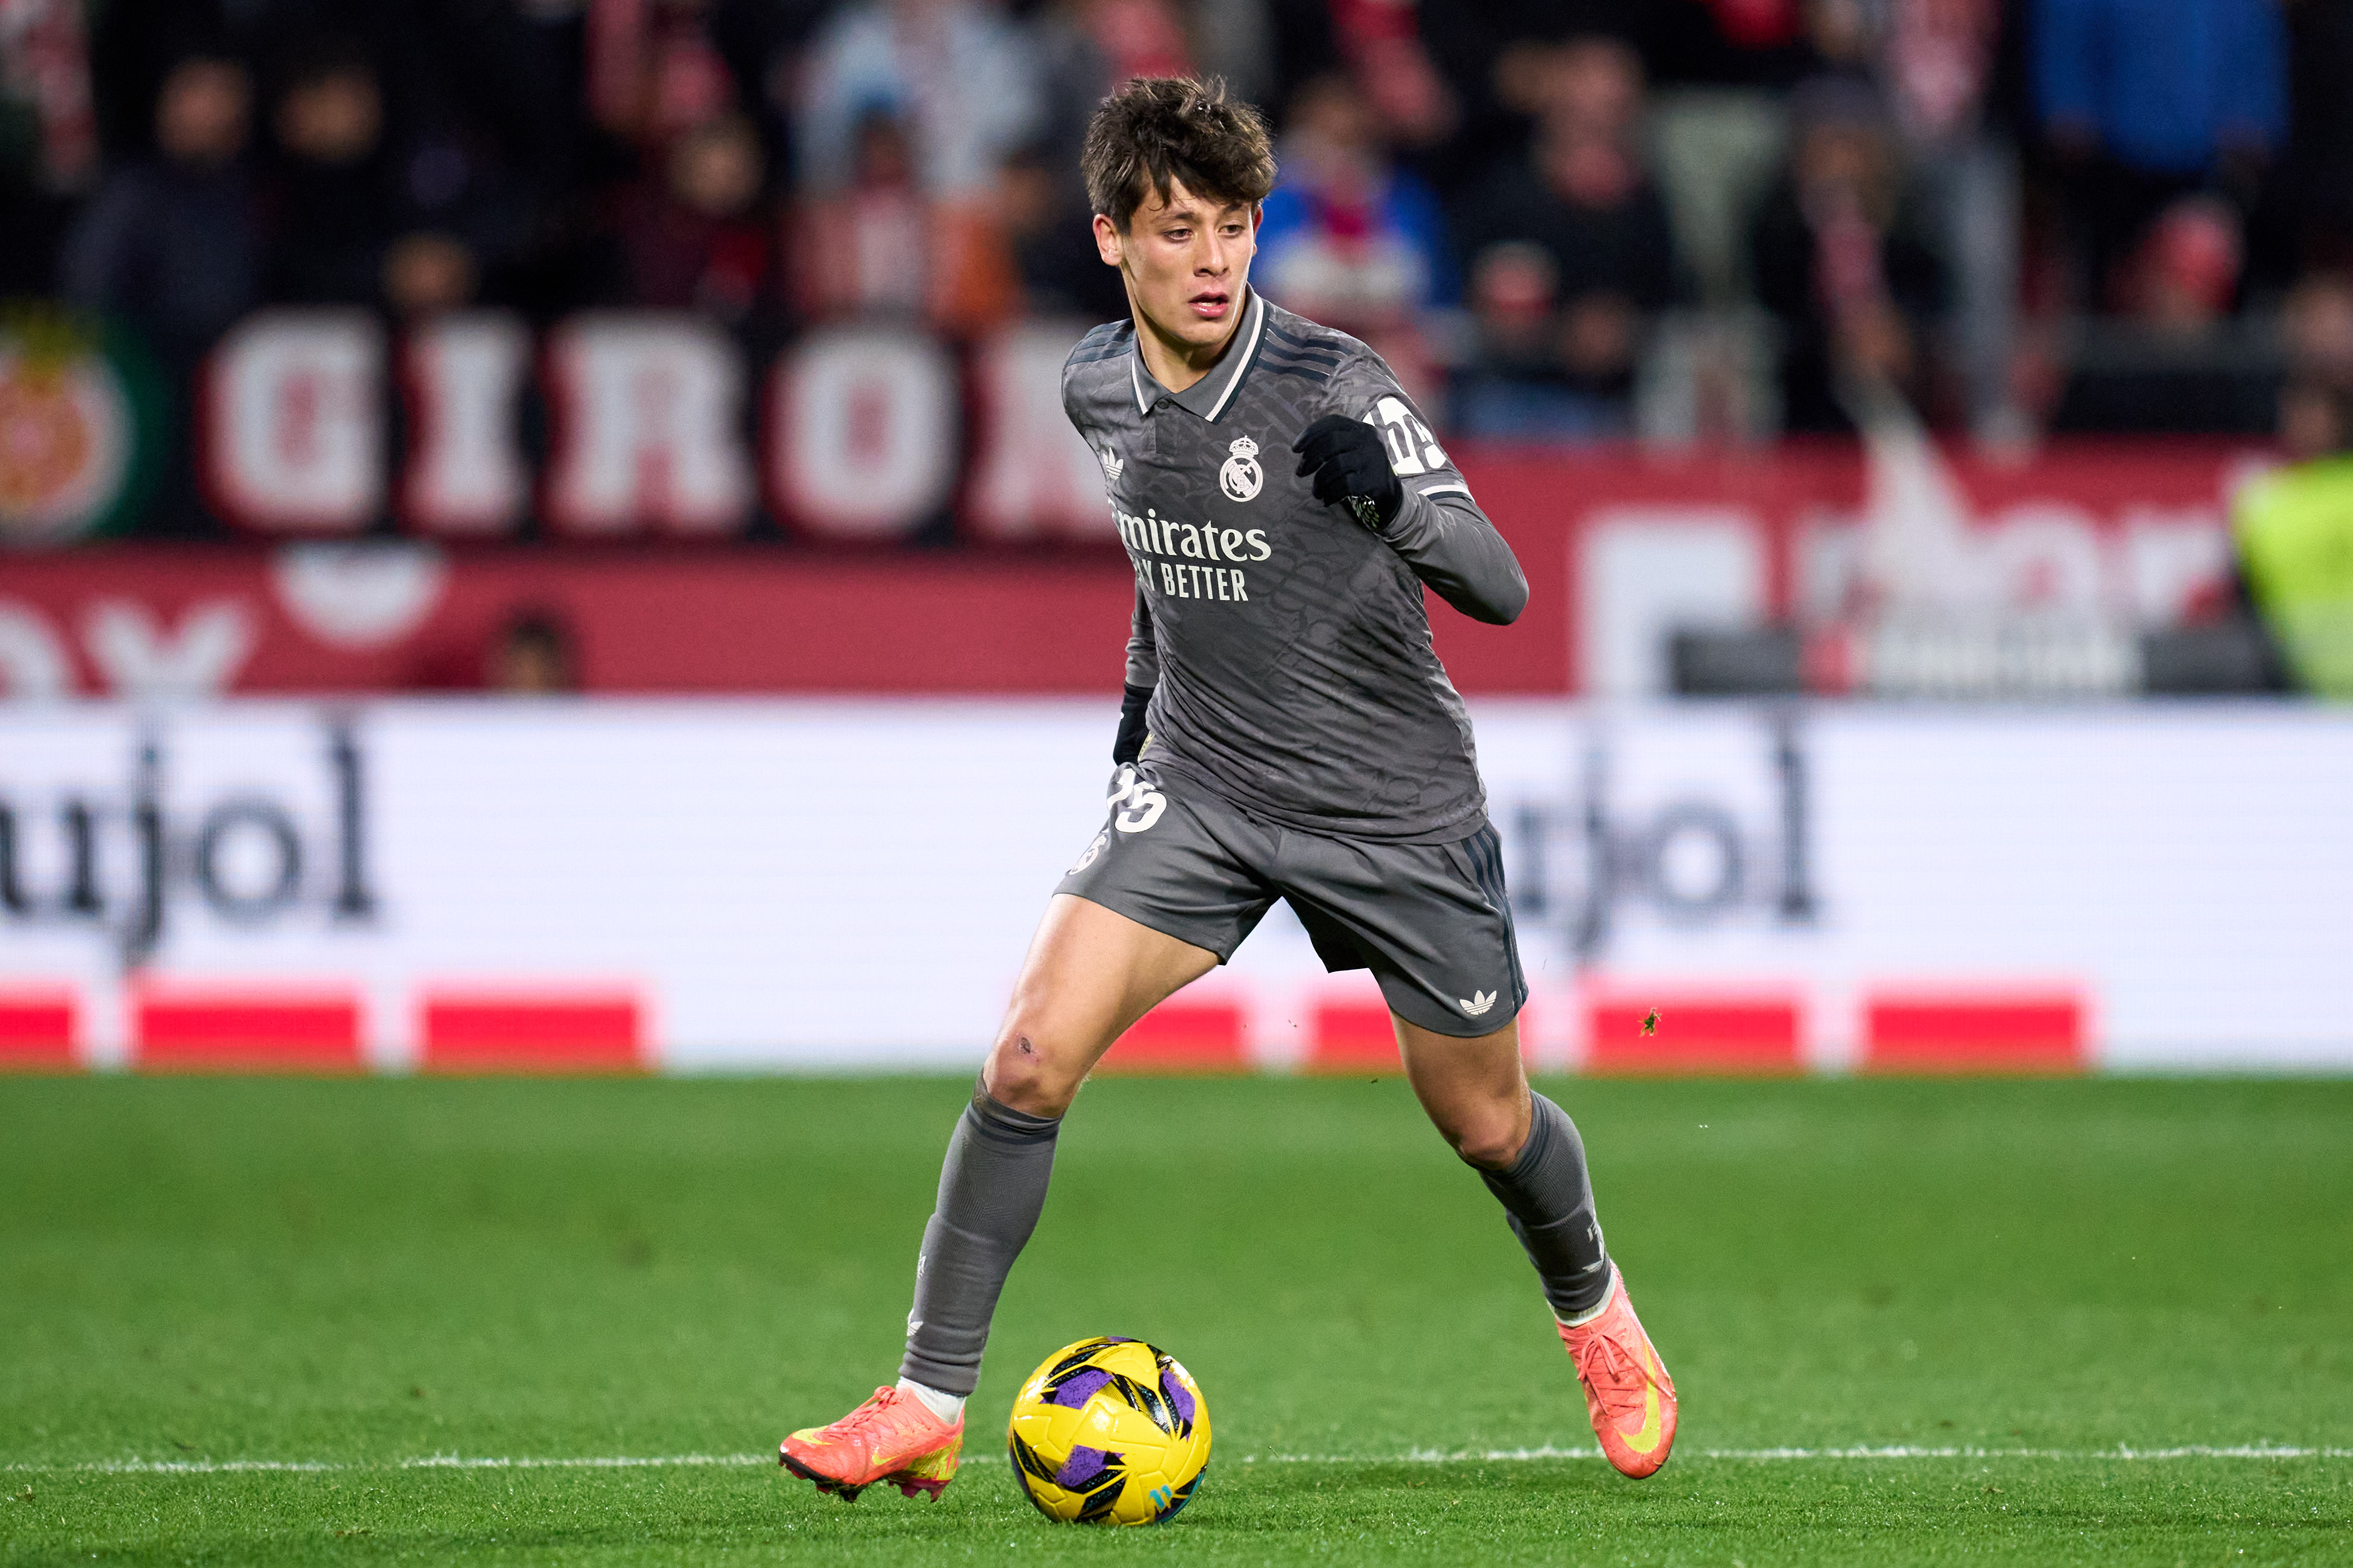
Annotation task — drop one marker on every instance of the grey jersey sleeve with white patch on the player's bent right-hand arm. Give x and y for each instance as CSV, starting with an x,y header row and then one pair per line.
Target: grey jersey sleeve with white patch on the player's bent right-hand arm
x,y
1439,530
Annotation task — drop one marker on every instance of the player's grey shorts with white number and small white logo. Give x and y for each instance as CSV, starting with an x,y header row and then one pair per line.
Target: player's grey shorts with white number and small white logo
x,y
1429,920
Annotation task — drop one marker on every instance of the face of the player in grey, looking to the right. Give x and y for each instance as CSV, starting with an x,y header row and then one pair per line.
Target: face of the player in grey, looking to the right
x,y
1185,262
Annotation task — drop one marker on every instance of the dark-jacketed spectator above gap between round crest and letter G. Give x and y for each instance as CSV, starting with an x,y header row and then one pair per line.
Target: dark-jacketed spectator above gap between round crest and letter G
x,y
168,243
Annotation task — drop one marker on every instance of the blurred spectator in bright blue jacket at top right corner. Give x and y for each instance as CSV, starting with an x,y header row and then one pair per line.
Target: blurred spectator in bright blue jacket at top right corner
x,y
2152,100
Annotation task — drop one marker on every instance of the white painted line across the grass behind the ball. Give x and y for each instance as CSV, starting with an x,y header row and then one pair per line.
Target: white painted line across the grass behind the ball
x,y
1418,1456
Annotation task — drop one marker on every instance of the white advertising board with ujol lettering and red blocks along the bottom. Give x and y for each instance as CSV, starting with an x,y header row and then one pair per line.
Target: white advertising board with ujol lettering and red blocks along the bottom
x,y
472,887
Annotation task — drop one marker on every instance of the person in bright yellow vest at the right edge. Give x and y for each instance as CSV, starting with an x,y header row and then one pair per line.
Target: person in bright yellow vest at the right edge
x,y
2293,532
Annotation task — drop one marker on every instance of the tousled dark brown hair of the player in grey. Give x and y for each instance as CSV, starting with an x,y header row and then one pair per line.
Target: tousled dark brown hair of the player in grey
x,y
1168,128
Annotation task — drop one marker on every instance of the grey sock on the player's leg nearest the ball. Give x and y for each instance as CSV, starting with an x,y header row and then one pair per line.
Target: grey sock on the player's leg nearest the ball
x,y
989,1195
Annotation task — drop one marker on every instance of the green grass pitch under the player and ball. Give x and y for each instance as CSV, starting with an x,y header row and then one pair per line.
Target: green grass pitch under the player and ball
x,y
1999,1285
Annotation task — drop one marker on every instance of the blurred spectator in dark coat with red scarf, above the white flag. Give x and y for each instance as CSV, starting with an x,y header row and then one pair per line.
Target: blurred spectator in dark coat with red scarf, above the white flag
x,y
1841,260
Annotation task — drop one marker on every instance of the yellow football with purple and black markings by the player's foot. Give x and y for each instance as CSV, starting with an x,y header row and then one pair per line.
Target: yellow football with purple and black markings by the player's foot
x,y
1109,1433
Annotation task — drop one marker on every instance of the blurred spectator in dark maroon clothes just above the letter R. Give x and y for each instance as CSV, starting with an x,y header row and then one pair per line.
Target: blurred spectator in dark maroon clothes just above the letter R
x,y
700,239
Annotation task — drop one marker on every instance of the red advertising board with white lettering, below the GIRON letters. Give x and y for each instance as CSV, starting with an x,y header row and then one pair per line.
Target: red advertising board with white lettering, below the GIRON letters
x,y
2077,549
